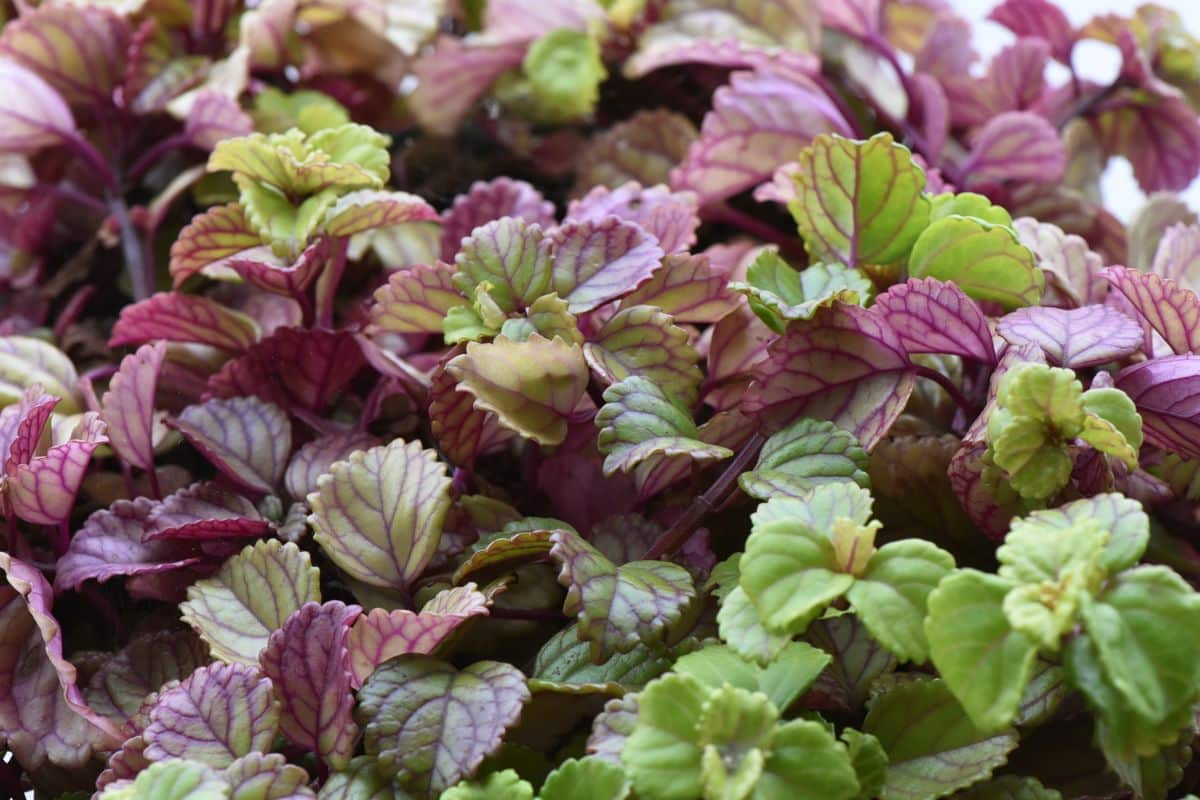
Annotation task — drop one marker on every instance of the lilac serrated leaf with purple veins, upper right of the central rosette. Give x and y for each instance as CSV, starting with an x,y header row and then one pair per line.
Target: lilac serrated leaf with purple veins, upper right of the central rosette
x,y
597,262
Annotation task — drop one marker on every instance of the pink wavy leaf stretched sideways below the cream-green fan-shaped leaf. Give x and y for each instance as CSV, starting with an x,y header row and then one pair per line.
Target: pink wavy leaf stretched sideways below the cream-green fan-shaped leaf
x,y
381,635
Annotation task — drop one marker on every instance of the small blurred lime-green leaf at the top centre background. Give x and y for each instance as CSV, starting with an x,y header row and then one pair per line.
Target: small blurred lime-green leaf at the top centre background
x,y
565,70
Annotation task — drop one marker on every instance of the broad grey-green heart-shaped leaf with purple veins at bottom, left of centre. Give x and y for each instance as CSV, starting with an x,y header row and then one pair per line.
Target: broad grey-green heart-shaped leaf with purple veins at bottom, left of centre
x,y
399,700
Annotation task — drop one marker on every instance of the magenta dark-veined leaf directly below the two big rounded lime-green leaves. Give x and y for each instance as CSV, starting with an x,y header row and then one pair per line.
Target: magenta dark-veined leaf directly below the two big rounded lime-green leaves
x,y
929,316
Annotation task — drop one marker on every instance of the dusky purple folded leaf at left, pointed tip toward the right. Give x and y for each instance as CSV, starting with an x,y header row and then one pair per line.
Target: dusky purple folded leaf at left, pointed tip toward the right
x,y
113,543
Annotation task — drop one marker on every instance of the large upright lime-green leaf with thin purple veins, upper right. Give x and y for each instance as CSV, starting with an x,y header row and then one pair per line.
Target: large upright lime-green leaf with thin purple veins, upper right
x,y
860,202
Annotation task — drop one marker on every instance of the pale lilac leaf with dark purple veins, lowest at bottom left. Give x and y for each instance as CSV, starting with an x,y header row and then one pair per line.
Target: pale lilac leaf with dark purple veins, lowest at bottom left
x,y
214,717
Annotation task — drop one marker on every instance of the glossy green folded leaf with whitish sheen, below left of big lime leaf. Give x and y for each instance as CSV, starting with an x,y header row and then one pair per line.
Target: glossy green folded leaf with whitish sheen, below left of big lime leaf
x,y
778,293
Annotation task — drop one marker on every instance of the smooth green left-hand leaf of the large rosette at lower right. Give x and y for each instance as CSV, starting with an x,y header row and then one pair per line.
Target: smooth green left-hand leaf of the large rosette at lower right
x,y
983,660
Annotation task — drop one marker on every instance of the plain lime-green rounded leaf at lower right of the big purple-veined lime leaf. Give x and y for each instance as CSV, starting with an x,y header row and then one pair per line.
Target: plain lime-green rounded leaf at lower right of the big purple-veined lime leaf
x,y
987,262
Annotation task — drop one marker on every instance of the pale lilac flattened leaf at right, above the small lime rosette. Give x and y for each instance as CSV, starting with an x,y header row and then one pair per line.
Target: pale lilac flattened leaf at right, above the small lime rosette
x,y
1075,339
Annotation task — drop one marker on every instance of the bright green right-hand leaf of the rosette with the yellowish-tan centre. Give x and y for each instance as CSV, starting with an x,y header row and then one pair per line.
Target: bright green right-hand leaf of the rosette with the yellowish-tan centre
x,y
891,596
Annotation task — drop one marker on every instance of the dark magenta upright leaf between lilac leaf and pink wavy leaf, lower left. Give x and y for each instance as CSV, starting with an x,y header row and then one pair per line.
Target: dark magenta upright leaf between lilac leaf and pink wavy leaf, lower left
x,y
310,666
